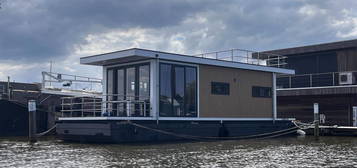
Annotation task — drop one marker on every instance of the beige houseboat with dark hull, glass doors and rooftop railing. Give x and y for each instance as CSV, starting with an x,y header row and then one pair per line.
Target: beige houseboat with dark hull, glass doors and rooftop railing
x,y
158,96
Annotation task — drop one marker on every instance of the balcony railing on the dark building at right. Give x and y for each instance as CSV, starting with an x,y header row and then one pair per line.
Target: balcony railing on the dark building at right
x,y
311,80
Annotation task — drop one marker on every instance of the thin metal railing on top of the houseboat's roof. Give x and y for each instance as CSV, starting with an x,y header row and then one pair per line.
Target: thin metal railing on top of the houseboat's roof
x,y
248,57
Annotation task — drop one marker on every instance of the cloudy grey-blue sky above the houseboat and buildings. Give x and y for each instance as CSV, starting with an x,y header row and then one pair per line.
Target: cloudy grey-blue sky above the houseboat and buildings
x,y
35,32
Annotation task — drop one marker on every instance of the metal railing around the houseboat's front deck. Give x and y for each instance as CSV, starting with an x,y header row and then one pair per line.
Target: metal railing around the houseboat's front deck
x,y
109,105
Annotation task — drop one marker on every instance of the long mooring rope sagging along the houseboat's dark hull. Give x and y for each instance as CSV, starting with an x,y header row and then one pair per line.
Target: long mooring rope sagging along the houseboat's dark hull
x,y
192,137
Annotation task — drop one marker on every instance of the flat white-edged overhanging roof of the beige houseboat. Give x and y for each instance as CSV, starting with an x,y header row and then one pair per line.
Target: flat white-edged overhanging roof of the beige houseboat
x,y
136,54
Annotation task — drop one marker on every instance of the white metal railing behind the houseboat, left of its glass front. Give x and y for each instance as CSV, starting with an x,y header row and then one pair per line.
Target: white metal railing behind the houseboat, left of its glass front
x,y
70,83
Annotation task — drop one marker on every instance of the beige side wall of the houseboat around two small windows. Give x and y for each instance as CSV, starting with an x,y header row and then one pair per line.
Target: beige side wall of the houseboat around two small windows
x,y
240,102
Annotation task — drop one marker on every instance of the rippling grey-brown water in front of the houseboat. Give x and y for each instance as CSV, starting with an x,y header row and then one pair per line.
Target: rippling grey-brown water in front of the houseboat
x,y
283,152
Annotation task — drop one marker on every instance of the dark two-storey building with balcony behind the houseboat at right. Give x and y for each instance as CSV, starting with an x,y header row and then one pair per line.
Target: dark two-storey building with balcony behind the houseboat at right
x,y
325,74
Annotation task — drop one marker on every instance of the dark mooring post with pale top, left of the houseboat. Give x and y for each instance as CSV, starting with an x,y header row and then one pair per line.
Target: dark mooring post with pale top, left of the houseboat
x,y
32,120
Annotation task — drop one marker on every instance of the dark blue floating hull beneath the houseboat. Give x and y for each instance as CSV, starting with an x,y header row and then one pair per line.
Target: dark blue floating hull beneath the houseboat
x,y
153,131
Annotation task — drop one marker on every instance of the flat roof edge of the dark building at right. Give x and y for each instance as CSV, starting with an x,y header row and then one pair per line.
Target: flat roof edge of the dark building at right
x,y
315,48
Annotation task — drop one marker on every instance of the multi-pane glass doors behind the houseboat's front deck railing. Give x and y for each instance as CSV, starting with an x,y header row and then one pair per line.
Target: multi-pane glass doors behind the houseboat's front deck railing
x,y
130,90
